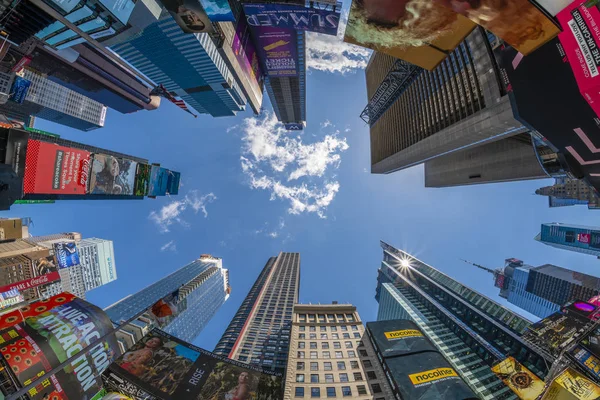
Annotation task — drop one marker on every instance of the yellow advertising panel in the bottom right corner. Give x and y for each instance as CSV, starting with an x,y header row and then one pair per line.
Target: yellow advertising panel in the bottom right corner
x,y
571,385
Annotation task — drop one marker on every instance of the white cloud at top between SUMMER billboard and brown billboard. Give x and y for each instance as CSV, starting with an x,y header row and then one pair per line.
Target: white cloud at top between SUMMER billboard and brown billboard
x,y
331,54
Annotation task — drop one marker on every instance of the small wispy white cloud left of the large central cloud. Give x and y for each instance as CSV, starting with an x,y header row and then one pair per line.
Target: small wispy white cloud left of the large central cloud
x,y
172,212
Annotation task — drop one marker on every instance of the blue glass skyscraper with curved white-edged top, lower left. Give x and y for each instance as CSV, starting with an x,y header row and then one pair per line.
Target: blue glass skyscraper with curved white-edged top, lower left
x,y
203,287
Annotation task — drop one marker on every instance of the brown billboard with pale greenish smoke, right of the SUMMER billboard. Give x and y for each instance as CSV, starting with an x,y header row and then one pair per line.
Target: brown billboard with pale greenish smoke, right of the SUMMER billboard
x,y
419,32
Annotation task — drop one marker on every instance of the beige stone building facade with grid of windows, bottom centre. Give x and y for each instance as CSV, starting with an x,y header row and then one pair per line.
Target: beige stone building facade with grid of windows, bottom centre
x,y
323,357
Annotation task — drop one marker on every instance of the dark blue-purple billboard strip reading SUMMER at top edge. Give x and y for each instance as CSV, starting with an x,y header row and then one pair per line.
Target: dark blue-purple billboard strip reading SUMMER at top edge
x,y
291,16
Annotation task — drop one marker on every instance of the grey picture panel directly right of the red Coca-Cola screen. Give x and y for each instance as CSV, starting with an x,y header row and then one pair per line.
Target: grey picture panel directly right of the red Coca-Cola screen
x,y
112,175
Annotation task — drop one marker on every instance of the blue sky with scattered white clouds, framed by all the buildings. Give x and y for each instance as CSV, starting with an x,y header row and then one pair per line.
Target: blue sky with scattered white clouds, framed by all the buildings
x,y
246,210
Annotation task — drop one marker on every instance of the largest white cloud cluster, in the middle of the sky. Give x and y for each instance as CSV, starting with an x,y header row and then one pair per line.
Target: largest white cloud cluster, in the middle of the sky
x,y
272,159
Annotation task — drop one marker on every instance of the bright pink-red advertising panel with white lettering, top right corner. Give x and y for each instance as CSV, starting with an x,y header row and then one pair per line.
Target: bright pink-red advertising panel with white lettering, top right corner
x,y
580,39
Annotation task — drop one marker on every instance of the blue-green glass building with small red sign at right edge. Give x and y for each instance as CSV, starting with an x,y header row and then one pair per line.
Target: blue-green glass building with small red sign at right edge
x,y
582,239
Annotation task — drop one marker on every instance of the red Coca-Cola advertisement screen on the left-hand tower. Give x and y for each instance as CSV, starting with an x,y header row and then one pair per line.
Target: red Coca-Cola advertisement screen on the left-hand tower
x,y
54,169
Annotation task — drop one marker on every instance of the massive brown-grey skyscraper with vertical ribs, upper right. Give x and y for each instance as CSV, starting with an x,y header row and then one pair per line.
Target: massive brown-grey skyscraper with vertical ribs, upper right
x,y
438,118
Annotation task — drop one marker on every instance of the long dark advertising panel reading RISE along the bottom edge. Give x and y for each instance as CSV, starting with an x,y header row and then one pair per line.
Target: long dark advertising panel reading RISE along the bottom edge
x,y
161,366
